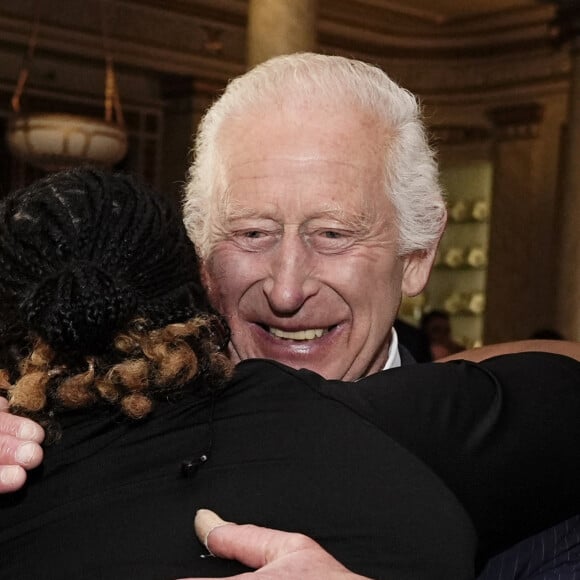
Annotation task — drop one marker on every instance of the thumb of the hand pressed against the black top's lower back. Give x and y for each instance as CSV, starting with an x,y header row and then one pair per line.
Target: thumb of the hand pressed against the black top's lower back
x,y
251,545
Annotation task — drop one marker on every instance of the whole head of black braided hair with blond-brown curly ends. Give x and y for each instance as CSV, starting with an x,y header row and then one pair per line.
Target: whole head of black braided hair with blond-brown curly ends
x,y
101,299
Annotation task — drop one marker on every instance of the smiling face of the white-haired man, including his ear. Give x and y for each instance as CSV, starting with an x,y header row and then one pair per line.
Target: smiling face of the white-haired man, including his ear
x,y
306,267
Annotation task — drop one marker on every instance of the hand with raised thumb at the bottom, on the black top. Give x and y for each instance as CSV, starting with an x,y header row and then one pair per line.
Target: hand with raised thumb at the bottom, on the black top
x,y
276,555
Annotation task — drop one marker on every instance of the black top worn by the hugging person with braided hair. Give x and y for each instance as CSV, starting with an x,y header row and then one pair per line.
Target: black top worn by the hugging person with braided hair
x,y
343,463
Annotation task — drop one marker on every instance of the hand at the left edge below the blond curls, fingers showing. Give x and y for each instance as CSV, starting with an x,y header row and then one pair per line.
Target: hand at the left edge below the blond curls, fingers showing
x,y
20,448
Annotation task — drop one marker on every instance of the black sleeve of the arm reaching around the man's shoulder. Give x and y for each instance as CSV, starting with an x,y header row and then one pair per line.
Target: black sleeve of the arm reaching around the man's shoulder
x,y
503,434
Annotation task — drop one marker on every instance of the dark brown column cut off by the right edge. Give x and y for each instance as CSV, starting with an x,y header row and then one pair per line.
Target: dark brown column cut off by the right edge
x,y
568,296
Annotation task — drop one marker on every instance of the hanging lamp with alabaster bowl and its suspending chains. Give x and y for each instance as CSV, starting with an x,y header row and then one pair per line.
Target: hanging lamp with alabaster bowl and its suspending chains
x,y
54,141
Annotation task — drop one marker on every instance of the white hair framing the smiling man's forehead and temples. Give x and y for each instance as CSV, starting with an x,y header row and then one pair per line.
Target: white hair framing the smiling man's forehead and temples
x,y
410,169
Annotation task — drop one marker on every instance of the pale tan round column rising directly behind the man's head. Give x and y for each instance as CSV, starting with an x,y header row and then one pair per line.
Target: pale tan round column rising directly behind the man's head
x,y
280,27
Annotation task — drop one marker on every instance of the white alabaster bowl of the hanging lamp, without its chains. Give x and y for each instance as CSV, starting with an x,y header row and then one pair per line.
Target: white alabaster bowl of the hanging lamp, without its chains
x,y
54,141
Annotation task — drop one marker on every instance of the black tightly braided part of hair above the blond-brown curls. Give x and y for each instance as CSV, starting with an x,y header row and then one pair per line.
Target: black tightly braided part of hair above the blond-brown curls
x,y
82,252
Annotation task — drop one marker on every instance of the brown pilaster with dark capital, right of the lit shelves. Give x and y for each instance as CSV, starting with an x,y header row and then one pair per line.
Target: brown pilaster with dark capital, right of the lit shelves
x,y
521,270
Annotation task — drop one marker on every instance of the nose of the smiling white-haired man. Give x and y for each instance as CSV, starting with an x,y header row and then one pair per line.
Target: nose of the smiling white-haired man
x,y
291,281
